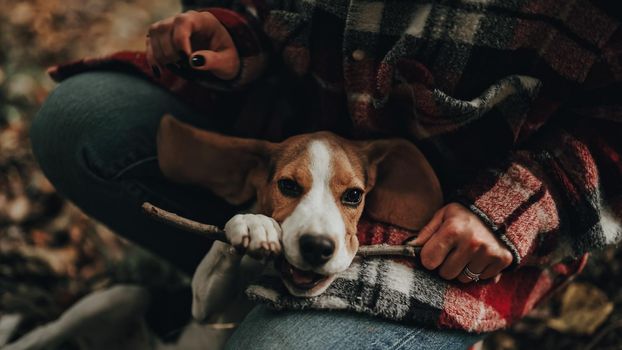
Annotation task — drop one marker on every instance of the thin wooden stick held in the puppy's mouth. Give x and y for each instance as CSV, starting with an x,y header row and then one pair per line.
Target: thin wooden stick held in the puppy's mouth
x,y
216,233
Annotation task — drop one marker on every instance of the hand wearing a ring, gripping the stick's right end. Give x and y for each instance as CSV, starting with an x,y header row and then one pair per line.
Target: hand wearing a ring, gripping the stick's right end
x,y
456,239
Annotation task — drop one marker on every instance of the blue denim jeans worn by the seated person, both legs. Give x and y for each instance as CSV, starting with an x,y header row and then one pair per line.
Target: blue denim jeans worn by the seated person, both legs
x,y
95,140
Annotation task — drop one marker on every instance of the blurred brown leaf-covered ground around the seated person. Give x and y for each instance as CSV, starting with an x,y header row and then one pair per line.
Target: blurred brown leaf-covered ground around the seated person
x,y
51,254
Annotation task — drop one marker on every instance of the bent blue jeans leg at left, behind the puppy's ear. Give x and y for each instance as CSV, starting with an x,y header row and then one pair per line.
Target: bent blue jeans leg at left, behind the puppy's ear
x,y
94,138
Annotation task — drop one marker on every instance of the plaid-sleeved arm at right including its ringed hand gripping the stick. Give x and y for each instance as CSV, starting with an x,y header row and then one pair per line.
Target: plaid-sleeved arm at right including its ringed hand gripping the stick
x,y
557,196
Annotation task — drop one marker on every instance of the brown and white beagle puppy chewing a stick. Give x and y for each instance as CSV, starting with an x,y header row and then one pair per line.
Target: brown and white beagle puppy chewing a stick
x,y
310,192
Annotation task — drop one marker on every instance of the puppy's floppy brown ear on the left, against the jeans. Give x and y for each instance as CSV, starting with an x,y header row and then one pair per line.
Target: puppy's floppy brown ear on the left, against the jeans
x,y
231,167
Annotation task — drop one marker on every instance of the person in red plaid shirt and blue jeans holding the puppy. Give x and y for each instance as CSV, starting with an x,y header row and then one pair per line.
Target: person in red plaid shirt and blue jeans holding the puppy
x,y
514,104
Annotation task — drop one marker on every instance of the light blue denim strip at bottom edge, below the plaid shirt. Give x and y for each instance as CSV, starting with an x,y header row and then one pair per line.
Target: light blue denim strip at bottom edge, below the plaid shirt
x,y
265,329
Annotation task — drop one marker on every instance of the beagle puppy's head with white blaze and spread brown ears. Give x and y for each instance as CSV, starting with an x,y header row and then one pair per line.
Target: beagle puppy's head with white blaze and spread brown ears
x,y
315,186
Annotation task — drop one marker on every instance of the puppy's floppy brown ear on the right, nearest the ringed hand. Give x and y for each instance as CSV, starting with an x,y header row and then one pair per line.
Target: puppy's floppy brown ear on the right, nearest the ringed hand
x,y
403,188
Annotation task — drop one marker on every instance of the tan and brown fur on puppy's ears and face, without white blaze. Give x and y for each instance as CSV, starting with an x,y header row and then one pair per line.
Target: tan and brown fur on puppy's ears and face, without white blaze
x,y
403,188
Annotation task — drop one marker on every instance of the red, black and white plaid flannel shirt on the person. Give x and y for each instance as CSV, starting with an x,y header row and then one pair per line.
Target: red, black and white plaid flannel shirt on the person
x,y
515,103
